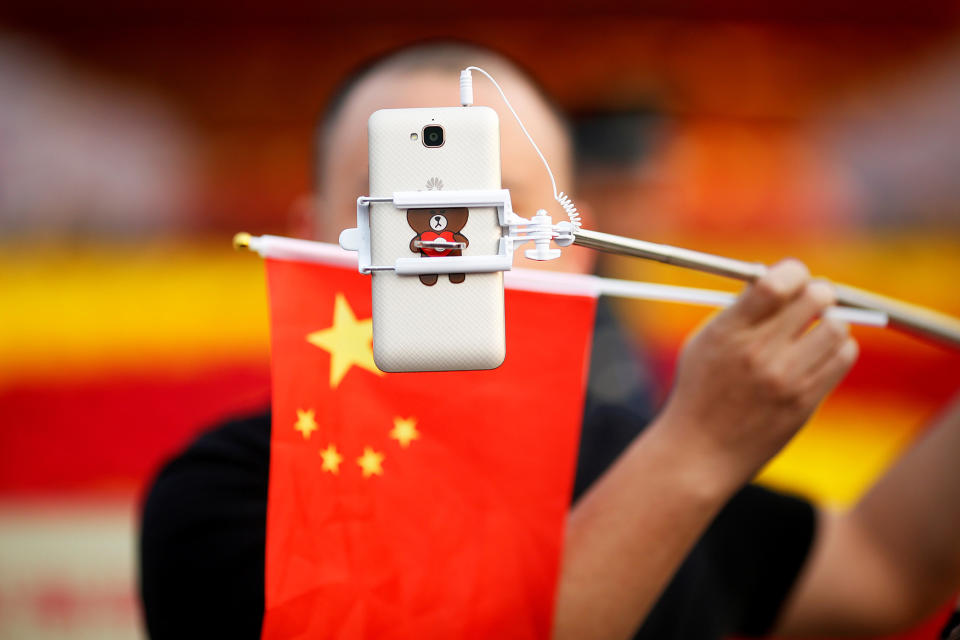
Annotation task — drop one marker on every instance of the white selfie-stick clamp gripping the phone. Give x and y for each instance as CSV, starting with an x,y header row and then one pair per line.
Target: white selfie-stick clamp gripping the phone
x,y
516,230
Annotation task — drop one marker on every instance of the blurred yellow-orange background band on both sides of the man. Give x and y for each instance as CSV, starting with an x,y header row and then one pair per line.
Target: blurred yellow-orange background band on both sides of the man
x,y
64,311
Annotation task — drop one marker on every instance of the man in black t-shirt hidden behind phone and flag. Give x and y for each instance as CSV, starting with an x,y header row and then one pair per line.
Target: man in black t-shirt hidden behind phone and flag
x,y
750,560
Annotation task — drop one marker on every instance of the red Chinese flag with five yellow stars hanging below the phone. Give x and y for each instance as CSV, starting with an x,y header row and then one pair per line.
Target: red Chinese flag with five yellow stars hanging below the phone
x,y
416,505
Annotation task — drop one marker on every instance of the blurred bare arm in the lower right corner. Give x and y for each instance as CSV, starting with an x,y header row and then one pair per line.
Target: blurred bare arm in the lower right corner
x,y
895,557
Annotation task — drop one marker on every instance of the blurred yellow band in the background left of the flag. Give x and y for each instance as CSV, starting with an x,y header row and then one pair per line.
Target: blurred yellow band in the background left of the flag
x,y
68,313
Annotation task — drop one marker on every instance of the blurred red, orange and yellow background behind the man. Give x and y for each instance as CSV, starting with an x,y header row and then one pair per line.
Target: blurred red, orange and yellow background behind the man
x,y
135,139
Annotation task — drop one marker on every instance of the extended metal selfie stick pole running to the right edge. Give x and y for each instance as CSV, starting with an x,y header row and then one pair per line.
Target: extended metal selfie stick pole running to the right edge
x,y
911,318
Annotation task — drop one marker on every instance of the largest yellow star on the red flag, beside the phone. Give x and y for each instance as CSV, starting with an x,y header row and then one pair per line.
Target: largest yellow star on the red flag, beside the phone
x,y
349,342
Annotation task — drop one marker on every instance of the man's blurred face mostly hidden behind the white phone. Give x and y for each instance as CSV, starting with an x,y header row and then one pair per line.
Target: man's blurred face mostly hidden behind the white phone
x,y
343,162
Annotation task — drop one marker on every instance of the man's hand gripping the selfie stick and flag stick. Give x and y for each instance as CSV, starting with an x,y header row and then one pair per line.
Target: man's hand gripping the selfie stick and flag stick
x,y
750,378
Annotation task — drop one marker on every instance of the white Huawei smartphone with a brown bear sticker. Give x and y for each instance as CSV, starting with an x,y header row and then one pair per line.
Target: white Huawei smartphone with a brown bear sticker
x,y
444,322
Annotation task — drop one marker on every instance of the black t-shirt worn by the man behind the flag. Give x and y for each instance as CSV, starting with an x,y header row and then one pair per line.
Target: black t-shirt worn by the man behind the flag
x,y
204,527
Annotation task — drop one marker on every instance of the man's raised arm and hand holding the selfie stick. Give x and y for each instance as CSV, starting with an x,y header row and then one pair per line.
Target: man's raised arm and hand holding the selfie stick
x,y
745,384
